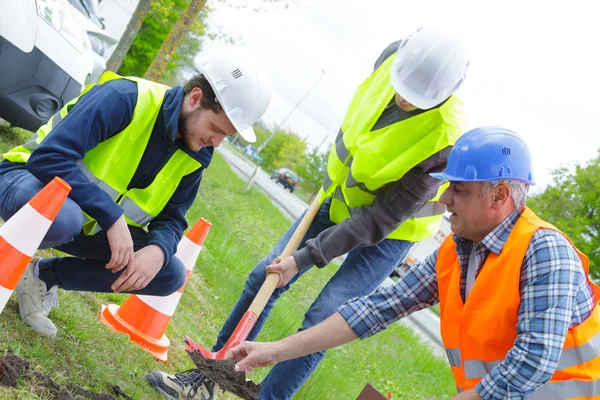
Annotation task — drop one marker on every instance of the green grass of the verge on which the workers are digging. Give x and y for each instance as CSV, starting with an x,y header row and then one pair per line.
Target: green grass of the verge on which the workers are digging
x,y
245,226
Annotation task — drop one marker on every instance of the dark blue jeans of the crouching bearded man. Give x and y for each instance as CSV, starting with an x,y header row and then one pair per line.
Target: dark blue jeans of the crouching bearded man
x,y
85,271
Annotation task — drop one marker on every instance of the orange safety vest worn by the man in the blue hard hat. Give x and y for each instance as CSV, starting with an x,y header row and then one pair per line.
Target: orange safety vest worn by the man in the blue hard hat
x,y
478,334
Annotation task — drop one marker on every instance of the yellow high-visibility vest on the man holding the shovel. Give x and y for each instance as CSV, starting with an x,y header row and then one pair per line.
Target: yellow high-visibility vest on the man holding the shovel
x,y
362,161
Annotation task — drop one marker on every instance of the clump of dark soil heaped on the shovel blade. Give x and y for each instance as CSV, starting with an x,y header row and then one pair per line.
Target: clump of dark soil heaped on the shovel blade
x,y
222,372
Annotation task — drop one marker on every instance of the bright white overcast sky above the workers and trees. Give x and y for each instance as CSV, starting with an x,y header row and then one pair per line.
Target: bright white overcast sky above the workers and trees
x,y
534,68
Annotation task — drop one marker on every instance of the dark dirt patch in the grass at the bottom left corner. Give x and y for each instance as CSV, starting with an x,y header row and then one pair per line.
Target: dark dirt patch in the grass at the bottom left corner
x,y
13,368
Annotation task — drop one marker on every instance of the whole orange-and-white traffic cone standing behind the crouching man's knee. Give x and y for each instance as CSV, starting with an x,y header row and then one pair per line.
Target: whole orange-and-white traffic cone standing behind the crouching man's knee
x,y
145,318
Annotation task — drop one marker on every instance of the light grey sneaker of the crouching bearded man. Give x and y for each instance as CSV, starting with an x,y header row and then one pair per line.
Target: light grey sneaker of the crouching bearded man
x,y
35,301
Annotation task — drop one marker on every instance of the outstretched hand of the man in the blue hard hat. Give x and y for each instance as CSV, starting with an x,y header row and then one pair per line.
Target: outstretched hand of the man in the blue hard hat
x,y
250,355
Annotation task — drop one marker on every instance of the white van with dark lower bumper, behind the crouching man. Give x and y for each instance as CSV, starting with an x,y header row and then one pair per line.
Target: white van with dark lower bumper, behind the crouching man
x,y
45,58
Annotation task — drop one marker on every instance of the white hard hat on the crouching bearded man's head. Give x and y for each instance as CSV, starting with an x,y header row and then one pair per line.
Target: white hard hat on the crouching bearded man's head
x,y
241,85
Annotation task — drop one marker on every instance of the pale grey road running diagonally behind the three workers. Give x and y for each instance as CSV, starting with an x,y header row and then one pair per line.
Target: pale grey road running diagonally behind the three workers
x,y
425,323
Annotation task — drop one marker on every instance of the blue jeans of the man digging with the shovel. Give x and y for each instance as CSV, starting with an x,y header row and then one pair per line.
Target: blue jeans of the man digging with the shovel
x,y
360,274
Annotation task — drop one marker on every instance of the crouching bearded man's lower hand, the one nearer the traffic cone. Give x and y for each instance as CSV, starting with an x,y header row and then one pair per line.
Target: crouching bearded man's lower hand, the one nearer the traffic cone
x,y
138,274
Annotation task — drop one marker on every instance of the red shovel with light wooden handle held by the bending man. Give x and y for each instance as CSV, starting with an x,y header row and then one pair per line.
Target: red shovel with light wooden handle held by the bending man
x,y
262,297
